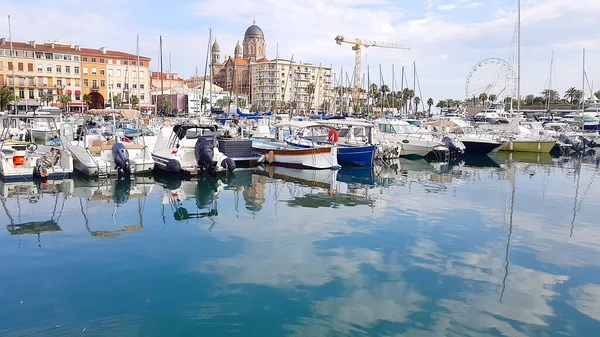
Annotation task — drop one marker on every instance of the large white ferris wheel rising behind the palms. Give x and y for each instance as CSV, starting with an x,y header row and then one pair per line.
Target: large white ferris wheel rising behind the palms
x,y
491,76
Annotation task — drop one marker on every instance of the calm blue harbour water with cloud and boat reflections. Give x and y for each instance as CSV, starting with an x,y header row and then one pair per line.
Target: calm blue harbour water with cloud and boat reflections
x,y
485,248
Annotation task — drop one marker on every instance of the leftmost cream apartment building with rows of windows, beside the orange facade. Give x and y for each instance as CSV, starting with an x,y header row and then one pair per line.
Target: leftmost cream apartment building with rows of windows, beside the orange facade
x,y
40,72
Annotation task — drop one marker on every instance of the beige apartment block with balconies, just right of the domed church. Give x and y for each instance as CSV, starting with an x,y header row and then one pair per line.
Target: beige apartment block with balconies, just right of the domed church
x,y
308,86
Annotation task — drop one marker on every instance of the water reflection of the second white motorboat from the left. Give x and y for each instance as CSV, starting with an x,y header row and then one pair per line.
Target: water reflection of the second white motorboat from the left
x,y
95,194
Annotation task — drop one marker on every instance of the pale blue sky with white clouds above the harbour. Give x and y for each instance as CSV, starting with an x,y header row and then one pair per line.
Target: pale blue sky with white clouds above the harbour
x,y
447,37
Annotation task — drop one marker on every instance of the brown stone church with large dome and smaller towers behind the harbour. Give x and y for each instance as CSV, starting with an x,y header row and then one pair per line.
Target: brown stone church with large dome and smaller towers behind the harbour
x,y
232,73
